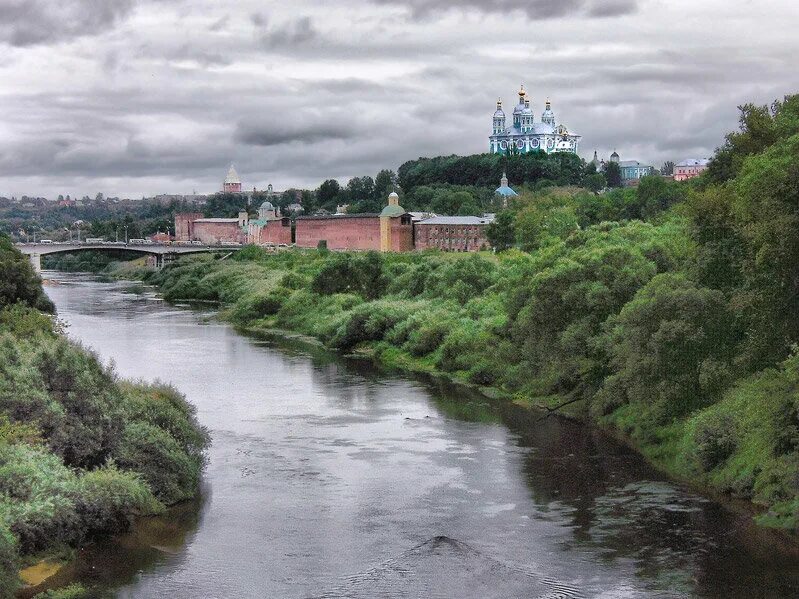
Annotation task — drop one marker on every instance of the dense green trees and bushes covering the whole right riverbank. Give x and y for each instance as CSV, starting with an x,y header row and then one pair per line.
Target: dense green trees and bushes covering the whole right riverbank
x,y
665,312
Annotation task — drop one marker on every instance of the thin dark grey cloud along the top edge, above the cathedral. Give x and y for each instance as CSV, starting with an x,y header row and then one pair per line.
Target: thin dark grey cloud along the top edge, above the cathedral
x,y
533,9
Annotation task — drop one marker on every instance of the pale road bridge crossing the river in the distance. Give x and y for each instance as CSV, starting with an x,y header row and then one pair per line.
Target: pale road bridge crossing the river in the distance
x,y
164,252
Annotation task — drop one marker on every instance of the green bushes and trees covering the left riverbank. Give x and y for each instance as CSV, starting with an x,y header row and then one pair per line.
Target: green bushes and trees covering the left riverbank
x,y
82,453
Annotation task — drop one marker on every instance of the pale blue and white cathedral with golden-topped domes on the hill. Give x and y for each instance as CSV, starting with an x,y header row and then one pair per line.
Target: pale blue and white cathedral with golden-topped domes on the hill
x,y
525,135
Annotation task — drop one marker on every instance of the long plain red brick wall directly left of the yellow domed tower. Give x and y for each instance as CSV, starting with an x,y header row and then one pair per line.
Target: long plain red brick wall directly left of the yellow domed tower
x,y
340,232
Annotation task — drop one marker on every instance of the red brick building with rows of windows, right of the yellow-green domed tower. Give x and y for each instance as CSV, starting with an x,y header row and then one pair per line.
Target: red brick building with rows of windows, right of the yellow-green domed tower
x,y
452,233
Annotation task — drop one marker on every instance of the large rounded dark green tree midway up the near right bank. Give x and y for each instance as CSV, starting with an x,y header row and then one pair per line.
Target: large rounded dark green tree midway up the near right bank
x,y
670,349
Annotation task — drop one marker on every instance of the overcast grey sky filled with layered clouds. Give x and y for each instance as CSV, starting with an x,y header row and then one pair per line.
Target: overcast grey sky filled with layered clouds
x,y
138,97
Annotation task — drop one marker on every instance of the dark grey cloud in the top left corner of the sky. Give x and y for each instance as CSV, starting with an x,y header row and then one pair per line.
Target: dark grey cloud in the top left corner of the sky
x,y
30,22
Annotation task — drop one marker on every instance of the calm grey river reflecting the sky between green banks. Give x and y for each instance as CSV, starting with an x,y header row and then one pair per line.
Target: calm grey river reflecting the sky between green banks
x,y
330,478
